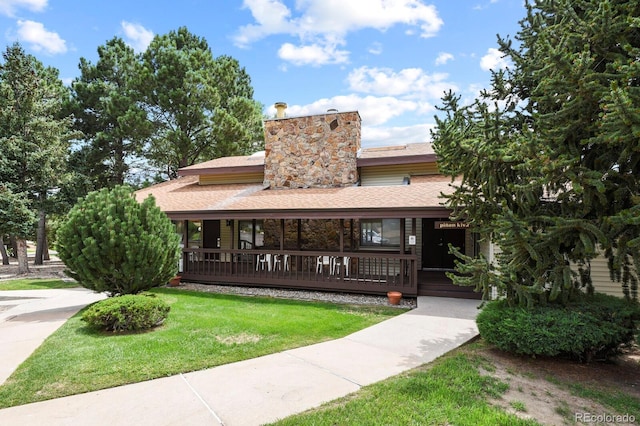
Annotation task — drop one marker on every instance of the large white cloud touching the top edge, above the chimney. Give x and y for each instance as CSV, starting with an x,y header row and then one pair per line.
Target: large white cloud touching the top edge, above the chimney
x,y
325,23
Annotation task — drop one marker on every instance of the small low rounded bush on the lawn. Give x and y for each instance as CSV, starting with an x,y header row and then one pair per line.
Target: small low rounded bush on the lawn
x,y
126,313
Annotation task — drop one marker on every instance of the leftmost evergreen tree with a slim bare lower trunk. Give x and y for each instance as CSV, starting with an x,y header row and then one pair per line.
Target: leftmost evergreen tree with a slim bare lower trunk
x,y
34,133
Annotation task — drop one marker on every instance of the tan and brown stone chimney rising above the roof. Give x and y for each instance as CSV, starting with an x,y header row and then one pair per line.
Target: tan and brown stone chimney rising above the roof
x,y
318,151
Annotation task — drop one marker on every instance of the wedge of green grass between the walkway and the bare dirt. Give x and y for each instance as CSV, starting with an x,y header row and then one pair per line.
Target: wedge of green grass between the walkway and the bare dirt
x,y
449,390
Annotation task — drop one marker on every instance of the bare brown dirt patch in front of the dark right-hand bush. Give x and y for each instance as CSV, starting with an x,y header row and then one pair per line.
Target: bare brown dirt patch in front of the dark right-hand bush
x,y
538,390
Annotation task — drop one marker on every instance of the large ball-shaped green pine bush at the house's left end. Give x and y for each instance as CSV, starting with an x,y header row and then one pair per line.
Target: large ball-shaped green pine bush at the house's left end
x,y
112,243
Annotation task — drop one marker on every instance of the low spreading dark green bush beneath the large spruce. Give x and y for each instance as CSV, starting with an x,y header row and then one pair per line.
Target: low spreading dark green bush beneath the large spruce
x,y
593,326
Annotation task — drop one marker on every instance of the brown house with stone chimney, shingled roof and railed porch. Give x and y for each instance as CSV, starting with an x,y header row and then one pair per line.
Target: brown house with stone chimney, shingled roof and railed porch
x,y
317,211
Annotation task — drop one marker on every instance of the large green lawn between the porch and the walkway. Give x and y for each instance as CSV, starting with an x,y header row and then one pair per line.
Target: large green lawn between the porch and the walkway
x,y
203,330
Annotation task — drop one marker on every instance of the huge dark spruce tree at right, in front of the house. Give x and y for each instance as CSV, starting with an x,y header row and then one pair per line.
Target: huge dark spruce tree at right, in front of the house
x,y
549,156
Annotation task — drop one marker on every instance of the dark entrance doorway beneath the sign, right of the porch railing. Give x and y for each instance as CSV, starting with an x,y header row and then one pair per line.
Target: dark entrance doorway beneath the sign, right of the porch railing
x,y
435,243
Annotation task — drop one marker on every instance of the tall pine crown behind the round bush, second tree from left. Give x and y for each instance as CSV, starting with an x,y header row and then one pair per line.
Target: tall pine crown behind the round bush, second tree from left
x,y
106,111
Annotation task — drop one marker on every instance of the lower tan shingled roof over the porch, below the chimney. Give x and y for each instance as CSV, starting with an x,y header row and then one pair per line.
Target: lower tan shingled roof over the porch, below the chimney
x,y
185,198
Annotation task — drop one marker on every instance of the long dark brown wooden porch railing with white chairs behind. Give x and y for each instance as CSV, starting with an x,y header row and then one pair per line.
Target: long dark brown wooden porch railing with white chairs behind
x,y
361,272
